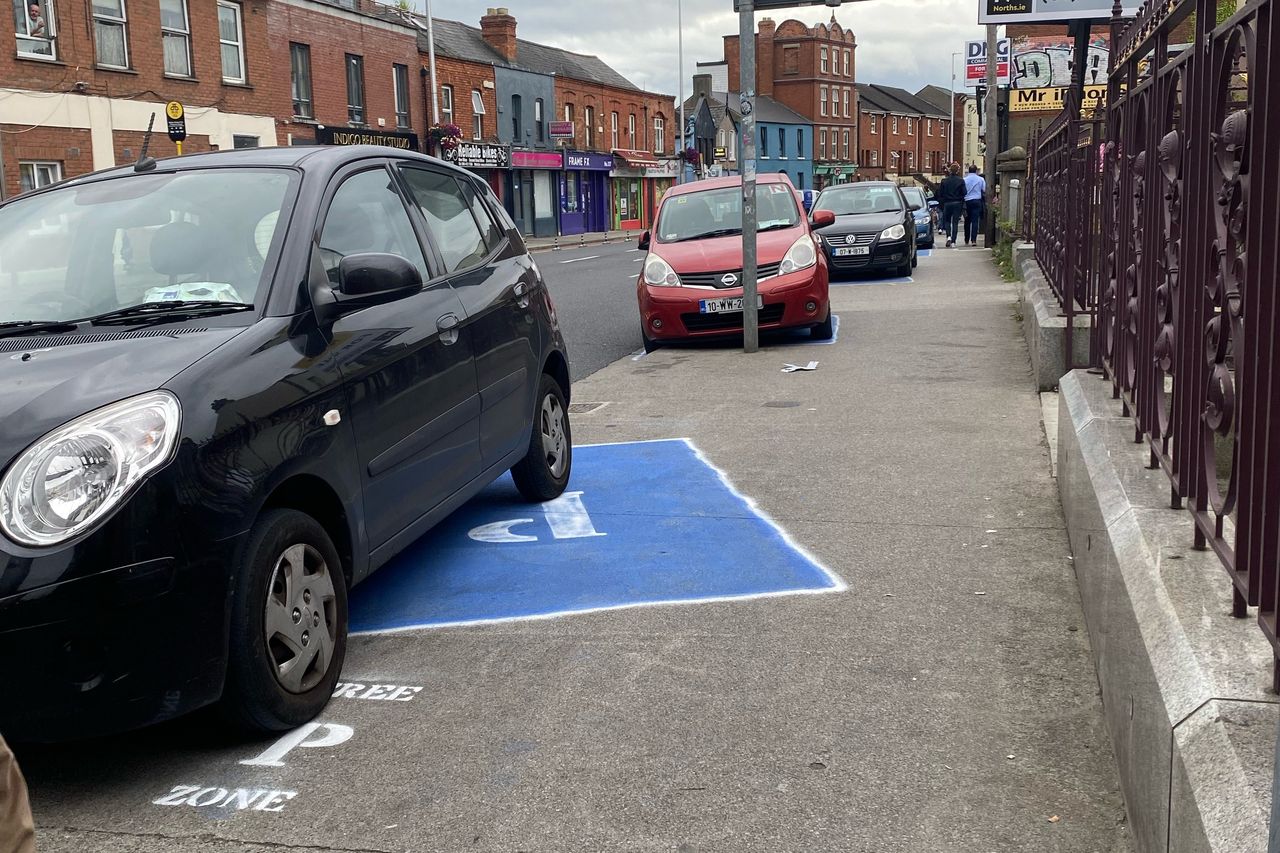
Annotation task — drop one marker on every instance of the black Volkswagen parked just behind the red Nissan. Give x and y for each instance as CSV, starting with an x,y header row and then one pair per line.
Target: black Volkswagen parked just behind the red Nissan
x,y
875,229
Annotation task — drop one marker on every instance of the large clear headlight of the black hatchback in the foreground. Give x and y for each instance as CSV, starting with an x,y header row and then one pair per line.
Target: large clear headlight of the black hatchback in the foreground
x,y
74,477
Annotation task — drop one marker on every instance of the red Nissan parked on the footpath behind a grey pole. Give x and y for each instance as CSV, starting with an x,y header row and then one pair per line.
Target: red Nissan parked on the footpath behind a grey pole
x,y
692,285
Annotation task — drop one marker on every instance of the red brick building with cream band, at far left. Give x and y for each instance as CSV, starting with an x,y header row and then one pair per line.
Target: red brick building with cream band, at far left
x,y
81,81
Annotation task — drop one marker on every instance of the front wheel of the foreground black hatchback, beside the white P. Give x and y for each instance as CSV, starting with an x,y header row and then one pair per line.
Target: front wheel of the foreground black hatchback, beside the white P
x,y
289,606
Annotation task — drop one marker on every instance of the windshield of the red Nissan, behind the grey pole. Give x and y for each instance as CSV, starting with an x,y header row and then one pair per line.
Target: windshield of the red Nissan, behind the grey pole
x,y
719,213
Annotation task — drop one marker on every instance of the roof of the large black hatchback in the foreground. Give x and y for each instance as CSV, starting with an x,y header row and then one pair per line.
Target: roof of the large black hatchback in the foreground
x,y
319,158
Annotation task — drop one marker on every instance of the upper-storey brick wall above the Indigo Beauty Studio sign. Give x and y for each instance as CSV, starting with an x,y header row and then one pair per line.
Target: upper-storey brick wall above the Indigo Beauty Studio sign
x,y
331,37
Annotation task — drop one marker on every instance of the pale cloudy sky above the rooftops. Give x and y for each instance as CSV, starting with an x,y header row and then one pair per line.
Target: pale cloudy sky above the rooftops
x,y
900,43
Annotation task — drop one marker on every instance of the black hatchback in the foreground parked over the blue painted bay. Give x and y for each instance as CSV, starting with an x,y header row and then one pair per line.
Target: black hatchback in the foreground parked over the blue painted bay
x,y
235,385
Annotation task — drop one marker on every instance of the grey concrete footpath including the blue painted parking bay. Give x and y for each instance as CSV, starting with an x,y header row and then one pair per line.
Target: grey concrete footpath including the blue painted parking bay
x,y
939,699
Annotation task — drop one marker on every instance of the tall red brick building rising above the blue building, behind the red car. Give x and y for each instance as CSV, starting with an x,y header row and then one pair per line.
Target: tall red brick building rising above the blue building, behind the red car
x,y
812,72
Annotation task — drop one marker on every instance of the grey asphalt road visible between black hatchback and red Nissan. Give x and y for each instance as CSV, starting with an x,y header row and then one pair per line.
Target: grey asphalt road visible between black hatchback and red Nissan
x,y
596,299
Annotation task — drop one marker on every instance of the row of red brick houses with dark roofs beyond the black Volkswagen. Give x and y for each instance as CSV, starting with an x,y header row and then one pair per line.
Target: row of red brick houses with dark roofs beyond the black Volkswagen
x,y
900,134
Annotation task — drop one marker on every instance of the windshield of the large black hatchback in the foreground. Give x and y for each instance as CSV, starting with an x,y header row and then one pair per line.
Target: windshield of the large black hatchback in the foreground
x,y
200,236
